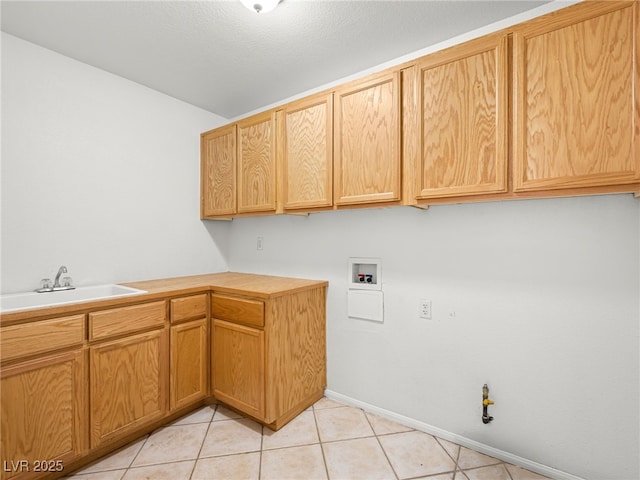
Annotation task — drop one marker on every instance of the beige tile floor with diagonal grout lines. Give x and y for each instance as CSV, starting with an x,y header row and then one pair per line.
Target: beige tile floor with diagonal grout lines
x,y
327,441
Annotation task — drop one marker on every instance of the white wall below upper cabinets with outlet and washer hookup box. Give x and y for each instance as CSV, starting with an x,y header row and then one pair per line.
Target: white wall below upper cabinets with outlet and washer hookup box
x,y
545,295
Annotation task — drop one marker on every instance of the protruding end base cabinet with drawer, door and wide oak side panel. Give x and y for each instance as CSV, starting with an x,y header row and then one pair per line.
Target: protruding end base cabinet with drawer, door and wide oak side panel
x,y
268,353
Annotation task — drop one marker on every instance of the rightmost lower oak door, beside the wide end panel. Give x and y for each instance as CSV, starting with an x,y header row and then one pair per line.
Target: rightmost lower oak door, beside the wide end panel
x,y
238,367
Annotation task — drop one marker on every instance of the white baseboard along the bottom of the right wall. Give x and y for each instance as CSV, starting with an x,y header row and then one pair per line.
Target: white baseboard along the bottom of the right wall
x,y
452,437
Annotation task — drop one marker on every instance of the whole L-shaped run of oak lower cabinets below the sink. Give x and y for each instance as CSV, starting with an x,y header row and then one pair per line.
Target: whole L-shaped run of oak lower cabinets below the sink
x,y
76,385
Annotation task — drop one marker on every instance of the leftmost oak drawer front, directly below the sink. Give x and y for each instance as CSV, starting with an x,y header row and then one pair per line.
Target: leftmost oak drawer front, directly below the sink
x,y
38,337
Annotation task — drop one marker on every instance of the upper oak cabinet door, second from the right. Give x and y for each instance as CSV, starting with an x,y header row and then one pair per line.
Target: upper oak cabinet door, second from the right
x,y
463,115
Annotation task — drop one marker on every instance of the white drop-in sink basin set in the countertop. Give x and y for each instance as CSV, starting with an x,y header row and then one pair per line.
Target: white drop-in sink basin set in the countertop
x,y
30,300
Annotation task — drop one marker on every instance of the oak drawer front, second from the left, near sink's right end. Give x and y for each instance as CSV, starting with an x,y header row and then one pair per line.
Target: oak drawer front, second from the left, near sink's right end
x,y
119,321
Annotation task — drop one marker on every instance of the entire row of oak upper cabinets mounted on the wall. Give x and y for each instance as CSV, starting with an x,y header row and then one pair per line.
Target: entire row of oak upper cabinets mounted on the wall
x,y
549,107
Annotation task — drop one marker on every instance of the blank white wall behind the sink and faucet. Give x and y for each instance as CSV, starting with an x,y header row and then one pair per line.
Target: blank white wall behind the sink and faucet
x,y
99,174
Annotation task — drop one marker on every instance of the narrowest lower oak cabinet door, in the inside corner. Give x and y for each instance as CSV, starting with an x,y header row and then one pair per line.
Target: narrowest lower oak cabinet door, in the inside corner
x,y
189,363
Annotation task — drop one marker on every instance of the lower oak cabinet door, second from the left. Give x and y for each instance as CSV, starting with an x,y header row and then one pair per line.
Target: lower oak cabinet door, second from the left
x,y
128,380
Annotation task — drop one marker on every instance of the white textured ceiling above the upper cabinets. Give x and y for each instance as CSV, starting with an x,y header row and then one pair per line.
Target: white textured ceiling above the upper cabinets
x,y
221,57
